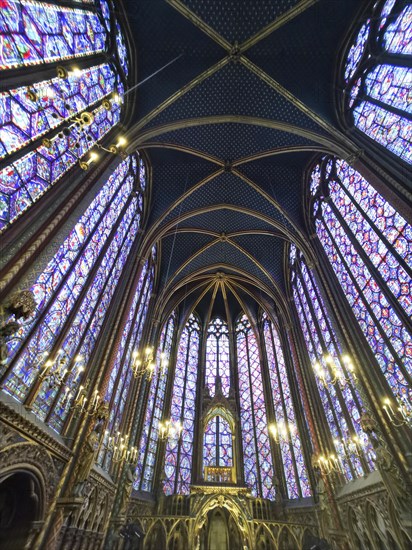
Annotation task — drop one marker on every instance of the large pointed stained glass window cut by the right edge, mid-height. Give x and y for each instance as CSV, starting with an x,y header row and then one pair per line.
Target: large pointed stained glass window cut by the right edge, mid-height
x,y
368,245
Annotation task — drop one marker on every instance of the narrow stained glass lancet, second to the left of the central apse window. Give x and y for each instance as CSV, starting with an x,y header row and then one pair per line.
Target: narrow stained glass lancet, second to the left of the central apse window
x,y
154,411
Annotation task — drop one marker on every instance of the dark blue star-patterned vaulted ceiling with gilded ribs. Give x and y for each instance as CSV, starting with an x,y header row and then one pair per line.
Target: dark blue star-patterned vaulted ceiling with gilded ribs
x,y
230,128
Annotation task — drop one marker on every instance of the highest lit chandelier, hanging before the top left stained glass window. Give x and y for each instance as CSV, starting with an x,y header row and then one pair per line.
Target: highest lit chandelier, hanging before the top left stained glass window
x,y
76,124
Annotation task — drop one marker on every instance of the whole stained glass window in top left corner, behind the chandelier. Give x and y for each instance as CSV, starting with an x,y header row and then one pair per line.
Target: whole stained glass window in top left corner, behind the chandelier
x,y
40,139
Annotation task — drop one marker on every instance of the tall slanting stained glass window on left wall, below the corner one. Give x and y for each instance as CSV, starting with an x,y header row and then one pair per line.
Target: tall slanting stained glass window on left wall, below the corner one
x,y
73,294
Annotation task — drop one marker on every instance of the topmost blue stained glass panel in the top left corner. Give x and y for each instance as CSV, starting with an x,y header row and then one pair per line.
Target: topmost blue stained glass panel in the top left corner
x,y
34,32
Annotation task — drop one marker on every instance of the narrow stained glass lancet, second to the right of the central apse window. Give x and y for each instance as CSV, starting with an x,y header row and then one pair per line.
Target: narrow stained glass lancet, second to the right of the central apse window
x,y
294,468
